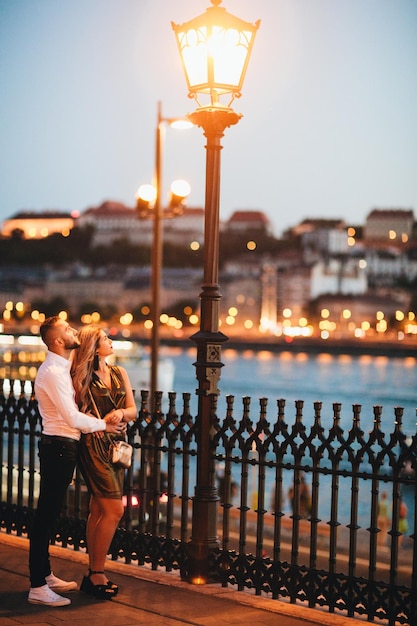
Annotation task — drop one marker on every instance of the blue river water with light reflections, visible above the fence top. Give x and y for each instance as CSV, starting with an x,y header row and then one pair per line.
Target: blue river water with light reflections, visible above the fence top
x,y
364,380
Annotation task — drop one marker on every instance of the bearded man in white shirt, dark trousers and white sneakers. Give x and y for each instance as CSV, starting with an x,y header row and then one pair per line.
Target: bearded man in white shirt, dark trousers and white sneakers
x,y
62,424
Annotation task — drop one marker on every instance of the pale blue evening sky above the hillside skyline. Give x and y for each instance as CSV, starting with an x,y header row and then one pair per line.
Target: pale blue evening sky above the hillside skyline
x,y
329,104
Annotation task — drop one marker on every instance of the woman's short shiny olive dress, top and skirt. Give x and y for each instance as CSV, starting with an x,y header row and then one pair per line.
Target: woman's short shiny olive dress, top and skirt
x,y
102,477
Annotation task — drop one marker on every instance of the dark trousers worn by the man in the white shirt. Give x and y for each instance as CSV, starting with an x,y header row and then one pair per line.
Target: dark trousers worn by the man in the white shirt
x,y
58,457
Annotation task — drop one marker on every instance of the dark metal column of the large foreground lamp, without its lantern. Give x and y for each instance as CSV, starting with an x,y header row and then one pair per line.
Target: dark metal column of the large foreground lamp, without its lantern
x,y
208,340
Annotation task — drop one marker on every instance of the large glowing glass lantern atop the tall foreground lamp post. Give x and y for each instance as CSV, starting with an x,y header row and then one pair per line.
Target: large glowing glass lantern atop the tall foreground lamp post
x,y
215,48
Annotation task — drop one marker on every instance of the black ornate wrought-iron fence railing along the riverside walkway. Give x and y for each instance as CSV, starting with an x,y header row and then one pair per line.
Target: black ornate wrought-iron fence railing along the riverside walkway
x,y
309,514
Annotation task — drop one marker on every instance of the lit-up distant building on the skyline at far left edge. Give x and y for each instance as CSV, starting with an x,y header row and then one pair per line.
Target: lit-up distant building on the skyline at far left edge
x,y
34,225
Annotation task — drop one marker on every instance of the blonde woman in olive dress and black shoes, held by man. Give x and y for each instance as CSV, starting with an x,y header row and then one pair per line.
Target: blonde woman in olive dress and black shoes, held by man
x,y
100,389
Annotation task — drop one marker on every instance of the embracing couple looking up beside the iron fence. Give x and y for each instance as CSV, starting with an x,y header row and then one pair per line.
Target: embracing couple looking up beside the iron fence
x,y
85,405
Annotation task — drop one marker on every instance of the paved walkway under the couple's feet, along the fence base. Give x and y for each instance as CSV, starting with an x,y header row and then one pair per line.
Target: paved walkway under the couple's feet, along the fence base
x,y
145,597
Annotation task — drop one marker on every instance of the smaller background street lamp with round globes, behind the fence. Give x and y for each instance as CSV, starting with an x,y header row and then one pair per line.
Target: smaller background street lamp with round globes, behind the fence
x,y
149,197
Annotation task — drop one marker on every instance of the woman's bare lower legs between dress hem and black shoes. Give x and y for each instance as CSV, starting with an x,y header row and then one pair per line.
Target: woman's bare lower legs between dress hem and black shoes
x,y
104,517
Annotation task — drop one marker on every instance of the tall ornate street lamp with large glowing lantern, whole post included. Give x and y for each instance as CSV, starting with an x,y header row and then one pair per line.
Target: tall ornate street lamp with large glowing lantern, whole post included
x,y
215,48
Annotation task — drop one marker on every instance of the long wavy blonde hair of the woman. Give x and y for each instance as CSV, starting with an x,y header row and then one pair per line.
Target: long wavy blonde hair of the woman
x,y
82,366
